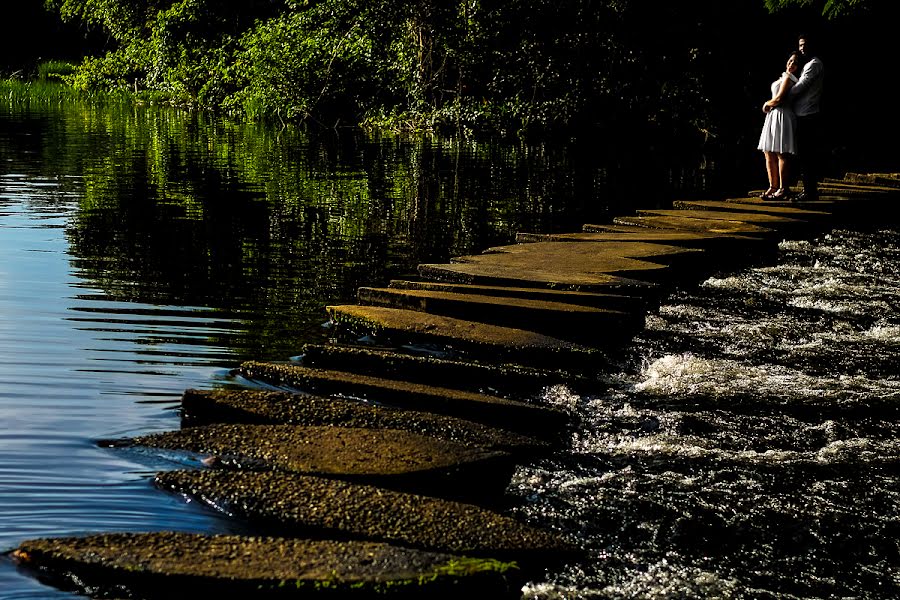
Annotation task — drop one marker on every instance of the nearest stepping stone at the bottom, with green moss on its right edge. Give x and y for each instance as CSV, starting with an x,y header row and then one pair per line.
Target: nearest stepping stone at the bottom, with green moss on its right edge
x,y
169,565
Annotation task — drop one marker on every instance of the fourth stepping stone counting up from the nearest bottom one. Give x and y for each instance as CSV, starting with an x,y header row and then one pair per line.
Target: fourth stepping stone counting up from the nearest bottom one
x,y
257,407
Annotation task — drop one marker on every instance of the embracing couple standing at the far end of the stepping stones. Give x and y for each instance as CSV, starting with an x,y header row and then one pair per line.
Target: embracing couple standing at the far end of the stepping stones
x,y
792,129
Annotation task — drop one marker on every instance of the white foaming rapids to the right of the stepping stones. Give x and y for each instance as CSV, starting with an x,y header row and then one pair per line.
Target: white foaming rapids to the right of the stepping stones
x,y
749,447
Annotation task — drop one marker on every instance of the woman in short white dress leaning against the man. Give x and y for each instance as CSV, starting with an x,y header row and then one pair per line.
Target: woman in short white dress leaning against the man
x,y
778,139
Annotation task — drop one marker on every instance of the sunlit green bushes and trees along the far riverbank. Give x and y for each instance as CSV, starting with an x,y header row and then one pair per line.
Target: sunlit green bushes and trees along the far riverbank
x,y
503,66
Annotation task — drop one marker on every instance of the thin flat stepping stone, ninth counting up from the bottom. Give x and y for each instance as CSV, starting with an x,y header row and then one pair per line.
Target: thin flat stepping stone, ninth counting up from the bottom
x,y
595,299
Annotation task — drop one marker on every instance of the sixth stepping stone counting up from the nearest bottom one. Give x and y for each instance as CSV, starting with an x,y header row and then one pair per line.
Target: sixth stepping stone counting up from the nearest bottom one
x,y
508,381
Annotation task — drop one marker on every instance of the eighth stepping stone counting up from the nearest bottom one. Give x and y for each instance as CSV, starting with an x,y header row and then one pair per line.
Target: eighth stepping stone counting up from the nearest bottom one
x,y
572,322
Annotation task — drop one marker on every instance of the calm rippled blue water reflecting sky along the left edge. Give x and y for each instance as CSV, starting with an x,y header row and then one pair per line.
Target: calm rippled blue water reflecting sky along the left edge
x,y
75,365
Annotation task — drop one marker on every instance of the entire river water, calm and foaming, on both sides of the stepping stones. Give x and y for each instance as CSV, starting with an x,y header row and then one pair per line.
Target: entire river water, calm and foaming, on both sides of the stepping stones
x,y
744,447
